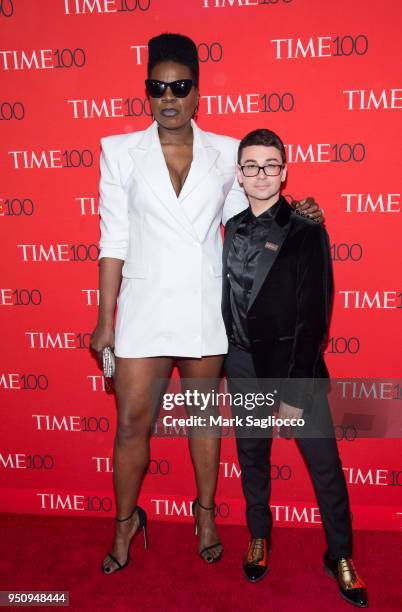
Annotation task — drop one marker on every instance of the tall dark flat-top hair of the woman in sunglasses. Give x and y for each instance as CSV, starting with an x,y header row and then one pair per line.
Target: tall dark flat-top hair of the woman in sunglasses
x,y
173,48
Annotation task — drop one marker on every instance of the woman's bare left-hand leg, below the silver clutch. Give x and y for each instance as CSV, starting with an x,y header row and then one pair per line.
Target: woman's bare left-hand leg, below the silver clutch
x,y
135,384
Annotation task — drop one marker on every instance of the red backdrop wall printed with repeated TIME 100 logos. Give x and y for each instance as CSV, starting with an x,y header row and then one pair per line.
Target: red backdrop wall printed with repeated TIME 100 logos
x,y
325,76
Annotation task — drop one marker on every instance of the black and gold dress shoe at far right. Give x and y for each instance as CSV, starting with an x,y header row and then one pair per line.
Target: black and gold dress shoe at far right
x,y
351,586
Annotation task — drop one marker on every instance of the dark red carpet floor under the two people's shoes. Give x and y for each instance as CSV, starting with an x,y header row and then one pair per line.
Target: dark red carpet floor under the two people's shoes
x,y
63,553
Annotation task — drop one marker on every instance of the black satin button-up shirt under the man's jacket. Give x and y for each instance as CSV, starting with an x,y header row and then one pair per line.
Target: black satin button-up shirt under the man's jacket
x,y
246,246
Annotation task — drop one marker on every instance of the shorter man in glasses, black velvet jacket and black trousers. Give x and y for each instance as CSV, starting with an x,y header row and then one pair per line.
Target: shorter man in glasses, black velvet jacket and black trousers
x,y
276,304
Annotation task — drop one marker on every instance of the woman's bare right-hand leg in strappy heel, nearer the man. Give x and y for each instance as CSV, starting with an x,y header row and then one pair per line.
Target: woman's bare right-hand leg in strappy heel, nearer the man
x,y
205,451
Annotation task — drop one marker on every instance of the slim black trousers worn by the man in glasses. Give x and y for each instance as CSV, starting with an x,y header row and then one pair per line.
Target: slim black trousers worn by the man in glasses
x,y
322,458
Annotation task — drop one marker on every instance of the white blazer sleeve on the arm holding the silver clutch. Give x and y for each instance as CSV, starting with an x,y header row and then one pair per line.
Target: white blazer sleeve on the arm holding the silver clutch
x,y
113,207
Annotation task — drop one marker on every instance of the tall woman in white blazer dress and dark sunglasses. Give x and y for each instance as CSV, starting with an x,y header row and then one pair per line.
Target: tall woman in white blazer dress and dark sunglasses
x,y
164,193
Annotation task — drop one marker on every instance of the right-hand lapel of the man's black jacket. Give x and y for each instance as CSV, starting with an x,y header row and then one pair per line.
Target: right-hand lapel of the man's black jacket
x,y
274,241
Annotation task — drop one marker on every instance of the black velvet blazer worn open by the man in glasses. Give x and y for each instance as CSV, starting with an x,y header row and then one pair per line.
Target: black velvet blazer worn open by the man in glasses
x,y
290,302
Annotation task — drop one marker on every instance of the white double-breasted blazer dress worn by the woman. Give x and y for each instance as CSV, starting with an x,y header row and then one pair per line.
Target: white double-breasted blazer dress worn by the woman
x,y
170,297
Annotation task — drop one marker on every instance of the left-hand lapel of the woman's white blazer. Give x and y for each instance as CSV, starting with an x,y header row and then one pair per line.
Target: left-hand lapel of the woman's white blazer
x,y
150,161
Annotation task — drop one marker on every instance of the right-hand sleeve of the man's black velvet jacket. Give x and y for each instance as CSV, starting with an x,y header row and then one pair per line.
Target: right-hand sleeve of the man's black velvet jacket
x,y
314,296
